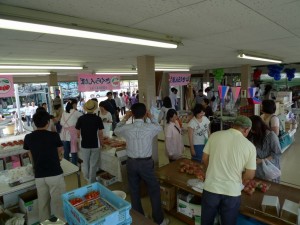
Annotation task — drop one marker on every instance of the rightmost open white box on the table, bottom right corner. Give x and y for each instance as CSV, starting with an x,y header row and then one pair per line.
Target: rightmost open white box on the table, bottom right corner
x,y
289,211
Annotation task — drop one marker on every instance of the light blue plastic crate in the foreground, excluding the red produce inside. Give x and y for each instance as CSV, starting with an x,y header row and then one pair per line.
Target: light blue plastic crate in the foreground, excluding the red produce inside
x,y
119,217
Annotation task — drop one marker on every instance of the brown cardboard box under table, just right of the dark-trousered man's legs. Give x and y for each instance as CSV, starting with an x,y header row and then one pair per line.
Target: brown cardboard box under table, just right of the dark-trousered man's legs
x,y
168,196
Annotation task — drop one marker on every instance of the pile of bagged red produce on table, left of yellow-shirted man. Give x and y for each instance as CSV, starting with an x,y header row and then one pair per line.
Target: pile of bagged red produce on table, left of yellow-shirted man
x,y
192,168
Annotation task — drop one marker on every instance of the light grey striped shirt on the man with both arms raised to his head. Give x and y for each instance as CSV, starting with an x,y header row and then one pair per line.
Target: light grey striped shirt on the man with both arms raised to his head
x,y
139,137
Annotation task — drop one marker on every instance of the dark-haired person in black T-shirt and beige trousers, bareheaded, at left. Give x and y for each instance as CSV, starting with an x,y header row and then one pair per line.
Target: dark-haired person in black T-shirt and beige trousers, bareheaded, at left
x,y
46,151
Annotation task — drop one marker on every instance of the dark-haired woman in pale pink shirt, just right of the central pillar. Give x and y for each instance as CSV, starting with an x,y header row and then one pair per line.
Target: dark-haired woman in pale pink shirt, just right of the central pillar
x,y
173,137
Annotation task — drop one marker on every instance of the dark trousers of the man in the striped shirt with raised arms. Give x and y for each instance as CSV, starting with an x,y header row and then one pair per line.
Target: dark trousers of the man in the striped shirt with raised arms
x,y
144,169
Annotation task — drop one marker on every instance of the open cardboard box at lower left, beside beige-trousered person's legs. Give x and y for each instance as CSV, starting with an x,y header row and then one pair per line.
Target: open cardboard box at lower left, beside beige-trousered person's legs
x,y
28,204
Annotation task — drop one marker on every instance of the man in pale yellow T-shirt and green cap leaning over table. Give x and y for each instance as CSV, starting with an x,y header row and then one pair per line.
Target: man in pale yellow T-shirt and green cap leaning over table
x,y
230,159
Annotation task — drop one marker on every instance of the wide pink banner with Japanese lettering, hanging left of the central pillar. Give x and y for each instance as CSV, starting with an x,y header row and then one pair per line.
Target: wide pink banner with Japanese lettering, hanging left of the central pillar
x,y
92,82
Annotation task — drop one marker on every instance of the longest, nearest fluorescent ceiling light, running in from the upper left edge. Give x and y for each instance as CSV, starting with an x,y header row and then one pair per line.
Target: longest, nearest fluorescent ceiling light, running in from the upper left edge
x,y
46,29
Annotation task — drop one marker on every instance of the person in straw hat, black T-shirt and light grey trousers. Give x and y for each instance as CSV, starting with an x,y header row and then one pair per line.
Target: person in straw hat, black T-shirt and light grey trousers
x,y
90,127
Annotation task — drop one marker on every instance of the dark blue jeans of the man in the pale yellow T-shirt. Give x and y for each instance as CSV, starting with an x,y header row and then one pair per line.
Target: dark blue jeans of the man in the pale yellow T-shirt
x,y
227,206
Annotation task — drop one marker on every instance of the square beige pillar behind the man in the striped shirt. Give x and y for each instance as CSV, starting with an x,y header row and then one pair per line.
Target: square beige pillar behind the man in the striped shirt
x,y
147,90
